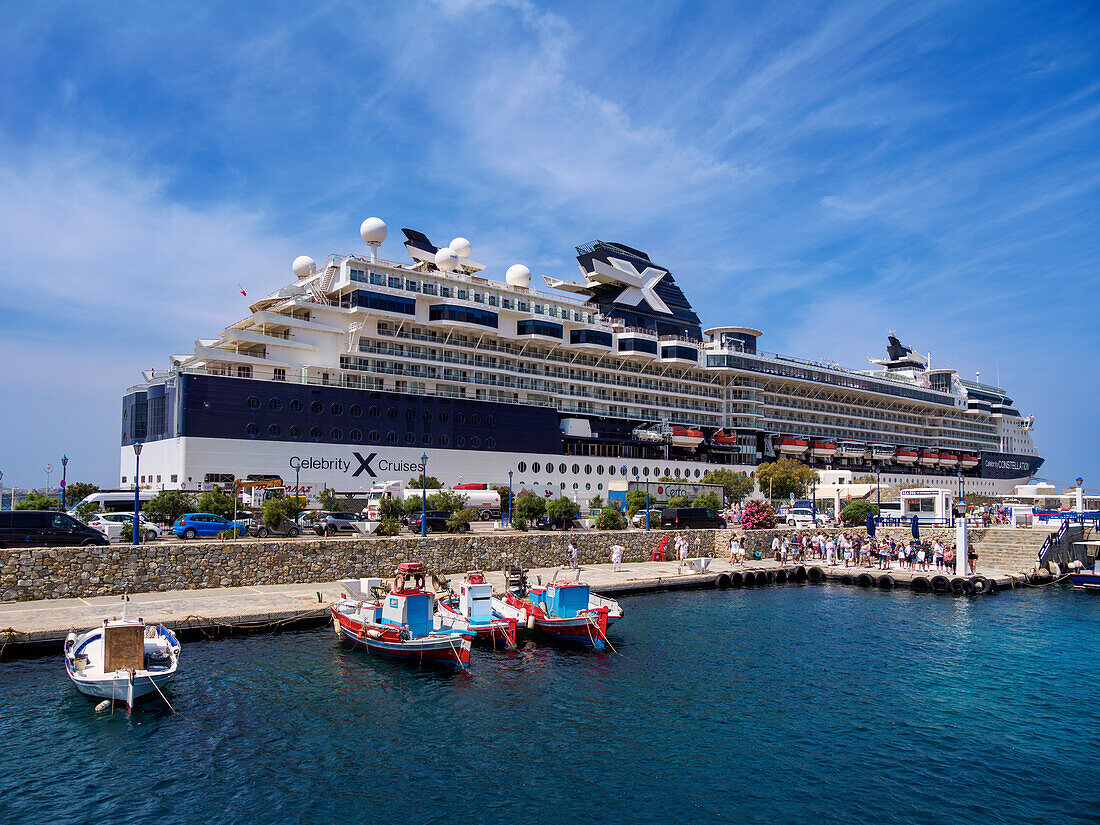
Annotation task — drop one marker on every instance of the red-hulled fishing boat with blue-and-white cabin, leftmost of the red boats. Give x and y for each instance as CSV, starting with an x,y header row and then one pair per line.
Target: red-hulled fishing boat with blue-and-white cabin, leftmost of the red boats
x,y
400,624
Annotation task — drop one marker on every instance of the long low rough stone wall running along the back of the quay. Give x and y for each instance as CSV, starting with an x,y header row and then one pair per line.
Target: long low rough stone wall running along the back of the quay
x,y
36,574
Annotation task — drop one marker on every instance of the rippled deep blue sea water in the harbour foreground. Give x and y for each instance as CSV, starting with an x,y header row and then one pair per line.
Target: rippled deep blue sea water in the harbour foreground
x,y
794,705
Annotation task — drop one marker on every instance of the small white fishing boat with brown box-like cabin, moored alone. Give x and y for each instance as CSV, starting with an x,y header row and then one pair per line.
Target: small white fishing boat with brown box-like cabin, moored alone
x,y
123,659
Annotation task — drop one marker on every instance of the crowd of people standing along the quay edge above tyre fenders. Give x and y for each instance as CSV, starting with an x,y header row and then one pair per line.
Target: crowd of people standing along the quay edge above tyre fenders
x,y
854,551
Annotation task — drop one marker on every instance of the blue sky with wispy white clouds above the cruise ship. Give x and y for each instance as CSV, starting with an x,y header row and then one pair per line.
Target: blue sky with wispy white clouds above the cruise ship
x,y
822,172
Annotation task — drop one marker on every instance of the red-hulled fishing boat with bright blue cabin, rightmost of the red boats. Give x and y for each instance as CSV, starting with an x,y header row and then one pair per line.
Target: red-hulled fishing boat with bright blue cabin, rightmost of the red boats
x,y
564,611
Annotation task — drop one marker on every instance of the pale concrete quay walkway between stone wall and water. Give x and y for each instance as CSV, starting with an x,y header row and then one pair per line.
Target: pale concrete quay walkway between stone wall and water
x,y
41,626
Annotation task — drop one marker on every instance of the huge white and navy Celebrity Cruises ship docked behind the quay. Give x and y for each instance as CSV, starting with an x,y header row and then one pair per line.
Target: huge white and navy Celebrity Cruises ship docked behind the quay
x,y
364,370
